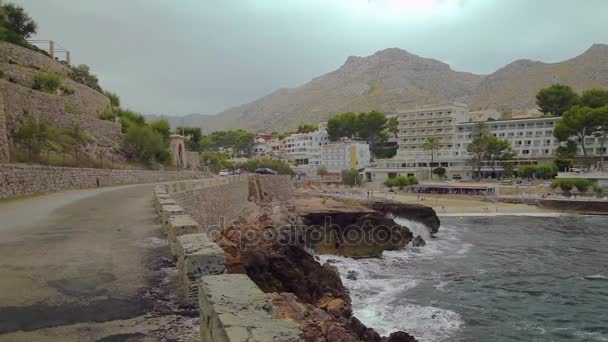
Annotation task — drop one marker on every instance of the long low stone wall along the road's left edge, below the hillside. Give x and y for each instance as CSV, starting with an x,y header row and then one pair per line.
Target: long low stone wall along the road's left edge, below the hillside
x,y
22,179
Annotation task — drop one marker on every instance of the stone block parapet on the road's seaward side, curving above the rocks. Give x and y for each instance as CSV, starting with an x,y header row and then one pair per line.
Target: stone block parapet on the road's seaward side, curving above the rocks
x,y
232,308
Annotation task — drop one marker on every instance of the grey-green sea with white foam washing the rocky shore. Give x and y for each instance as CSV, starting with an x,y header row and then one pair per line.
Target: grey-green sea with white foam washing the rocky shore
x,y
505,278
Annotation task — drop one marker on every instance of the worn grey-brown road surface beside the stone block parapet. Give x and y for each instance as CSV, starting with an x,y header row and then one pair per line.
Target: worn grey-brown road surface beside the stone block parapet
x,y
76,266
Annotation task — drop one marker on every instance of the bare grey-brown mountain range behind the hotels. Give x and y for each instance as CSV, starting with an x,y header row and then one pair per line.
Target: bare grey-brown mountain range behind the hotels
x,y
393,79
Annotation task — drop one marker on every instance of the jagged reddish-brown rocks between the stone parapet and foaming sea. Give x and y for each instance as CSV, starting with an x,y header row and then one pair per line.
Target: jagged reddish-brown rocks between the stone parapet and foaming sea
x,y
269,246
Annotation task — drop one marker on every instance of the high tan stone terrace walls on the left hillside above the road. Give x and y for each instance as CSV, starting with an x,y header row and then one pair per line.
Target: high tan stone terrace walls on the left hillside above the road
x,y
18,68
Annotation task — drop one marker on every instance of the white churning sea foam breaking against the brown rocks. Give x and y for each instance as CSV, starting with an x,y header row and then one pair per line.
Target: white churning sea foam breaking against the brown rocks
x,y
379,293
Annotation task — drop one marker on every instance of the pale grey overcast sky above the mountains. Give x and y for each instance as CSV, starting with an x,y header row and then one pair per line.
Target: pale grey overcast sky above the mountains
x,y
202,56
